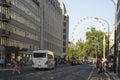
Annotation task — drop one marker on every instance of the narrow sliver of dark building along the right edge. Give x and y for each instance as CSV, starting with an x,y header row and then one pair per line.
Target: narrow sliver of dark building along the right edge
x,y
117,38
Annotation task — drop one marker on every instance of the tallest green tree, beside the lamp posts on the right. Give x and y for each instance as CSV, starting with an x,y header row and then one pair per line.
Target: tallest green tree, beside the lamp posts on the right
x,y
95,40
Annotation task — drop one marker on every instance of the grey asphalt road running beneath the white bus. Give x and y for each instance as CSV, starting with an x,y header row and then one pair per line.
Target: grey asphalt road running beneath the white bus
x,y
62,72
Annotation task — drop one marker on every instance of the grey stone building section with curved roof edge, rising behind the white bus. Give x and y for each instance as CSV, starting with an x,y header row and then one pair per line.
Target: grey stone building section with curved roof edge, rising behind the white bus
x,y
55,30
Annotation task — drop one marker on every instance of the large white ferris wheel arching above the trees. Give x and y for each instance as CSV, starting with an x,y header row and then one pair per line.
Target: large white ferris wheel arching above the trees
x,y
79,26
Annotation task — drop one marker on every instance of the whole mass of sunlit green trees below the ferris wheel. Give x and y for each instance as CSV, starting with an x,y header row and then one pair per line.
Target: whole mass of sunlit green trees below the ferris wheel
x,y
92,46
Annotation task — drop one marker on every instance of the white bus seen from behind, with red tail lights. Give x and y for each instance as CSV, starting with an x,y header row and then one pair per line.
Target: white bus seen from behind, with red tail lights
x,y
43,59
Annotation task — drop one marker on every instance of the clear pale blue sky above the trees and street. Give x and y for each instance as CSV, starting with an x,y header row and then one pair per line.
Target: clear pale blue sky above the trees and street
x,y
81,16
